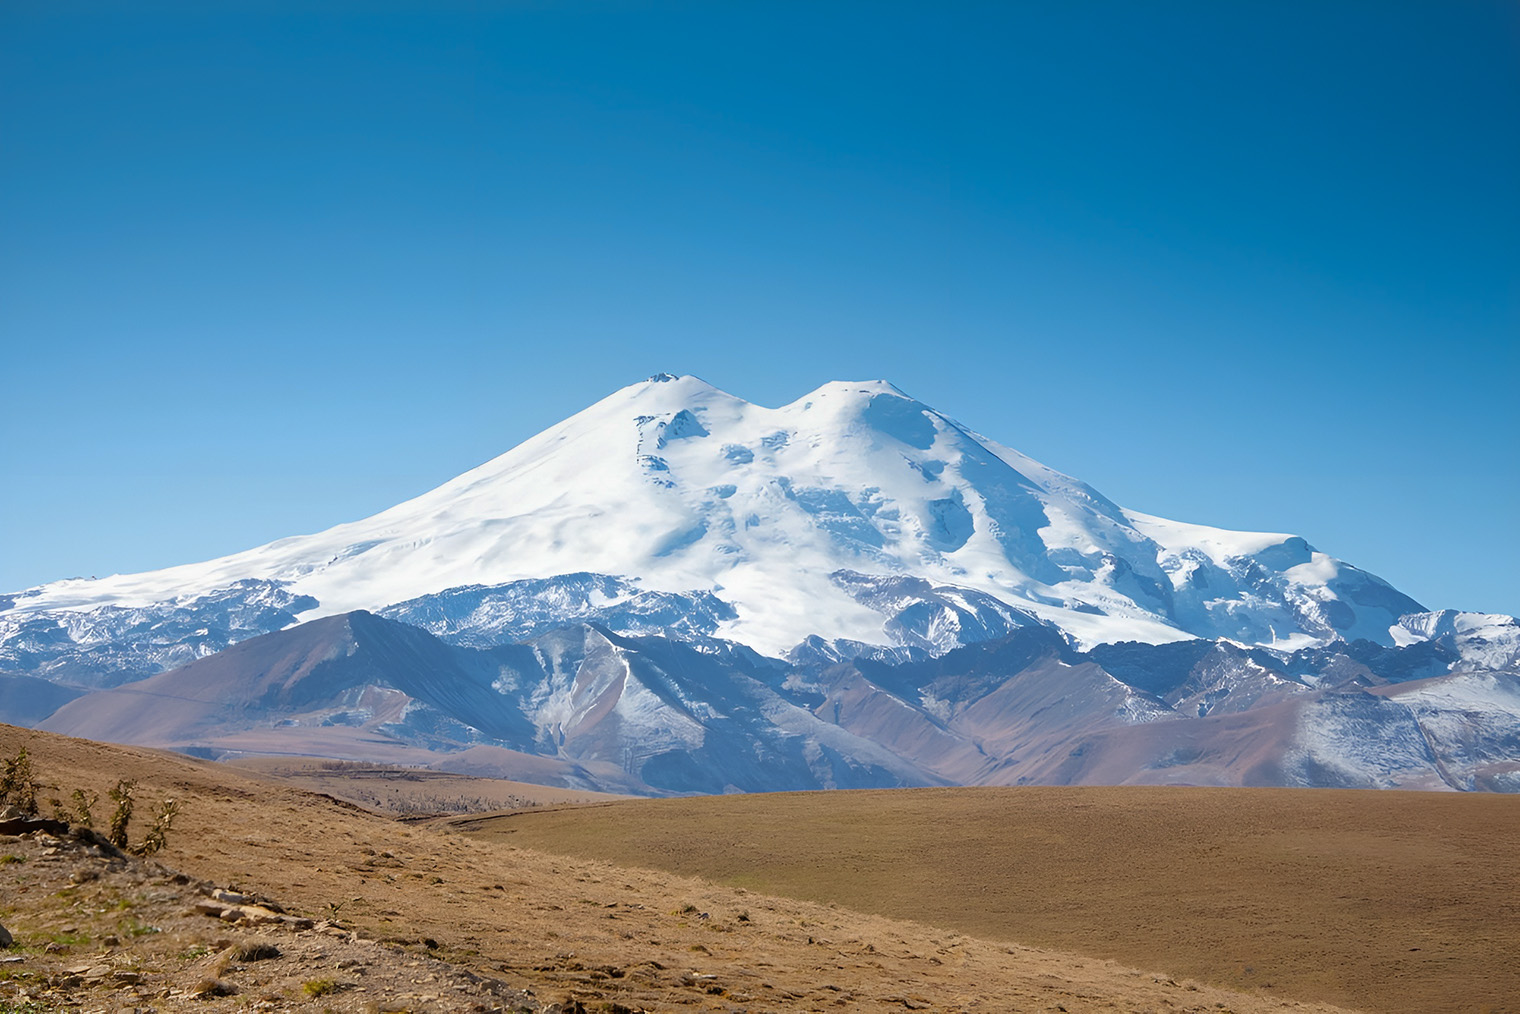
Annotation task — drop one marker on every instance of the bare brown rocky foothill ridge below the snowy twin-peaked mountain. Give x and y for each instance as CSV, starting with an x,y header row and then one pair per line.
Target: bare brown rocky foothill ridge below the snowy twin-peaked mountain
x,y
586,708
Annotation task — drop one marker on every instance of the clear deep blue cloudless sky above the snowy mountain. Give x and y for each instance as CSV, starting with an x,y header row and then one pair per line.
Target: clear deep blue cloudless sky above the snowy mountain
x,y
1253,265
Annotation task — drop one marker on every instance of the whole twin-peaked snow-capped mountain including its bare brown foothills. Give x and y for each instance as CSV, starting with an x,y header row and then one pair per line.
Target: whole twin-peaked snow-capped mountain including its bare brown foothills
x,y
682,592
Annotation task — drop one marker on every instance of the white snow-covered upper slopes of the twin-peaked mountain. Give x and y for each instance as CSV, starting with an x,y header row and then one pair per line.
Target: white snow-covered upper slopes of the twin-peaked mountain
x,y
788,524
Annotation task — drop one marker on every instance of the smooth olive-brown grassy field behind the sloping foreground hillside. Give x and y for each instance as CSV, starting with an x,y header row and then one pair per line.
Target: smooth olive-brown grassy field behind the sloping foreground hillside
x,y
1385,901
